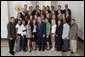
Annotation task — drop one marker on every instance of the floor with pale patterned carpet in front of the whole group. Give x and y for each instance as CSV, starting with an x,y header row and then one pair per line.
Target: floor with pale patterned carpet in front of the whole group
x,y
5,51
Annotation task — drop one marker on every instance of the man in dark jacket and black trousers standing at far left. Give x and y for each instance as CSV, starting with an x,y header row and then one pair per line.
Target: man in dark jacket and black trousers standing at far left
x,y
11,35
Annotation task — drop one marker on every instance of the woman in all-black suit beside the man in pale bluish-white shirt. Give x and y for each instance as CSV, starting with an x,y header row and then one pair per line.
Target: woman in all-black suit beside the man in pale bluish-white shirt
x,y
59,36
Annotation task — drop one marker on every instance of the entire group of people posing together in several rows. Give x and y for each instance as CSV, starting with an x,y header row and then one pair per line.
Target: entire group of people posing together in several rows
x,y
45,29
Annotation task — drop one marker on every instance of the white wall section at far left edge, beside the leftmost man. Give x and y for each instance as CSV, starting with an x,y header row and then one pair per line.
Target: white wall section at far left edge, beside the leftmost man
x,y
4,18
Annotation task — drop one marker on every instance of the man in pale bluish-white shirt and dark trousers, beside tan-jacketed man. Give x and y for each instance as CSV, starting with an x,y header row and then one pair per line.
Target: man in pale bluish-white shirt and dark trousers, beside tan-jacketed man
x,y
65,34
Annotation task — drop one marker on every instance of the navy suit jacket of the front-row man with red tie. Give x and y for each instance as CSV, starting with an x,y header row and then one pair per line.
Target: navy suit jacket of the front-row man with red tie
x,y
42,30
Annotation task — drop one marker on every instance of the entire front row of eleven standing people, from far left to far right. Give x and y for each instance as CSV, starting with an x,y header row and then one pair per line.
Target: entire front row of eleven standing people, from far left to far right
x,y
42,33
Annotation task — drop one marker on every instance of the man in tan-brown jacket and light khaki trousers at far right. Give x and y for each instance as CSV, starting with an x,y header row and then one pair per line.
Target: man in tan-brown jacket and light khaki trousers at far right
x,y
73,36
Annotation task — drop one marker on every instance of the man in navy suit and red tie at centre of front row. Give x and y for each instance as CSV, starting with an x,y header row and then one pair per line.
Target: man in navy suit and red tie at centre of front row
x,y
41,34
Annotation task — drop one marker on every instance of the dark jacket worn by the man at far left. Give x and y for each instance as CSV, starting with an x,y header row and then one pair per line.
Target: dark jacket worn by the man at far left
x,y
11,30
